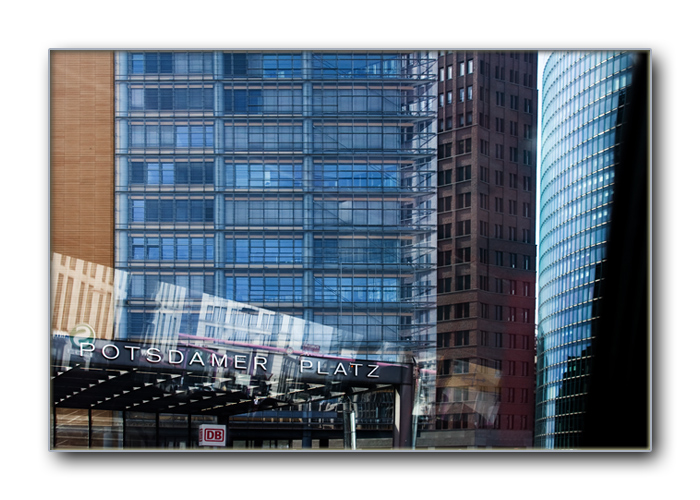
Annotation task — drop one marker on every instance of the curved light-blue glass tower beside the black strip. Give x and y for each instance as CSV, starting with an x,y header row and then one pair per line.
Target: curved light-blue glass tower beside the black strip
x,y
583,94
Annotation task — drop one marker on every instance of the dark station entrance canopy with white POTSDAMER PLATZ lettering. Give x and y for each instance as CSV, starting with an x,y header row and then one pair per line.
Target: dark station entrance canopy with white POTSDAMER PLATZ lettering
x,y
206,376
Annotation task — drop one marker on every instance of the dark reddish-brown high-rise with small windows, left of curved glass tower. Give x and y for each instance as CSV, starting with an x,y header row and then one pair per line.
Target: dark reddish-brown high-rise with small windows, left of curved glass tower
x,y
487,143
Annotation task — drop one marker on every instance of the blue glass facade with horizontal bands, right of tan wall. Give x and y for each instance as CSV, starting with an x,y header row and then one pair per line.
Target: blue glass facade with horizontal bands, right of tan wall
x,y
299,183
